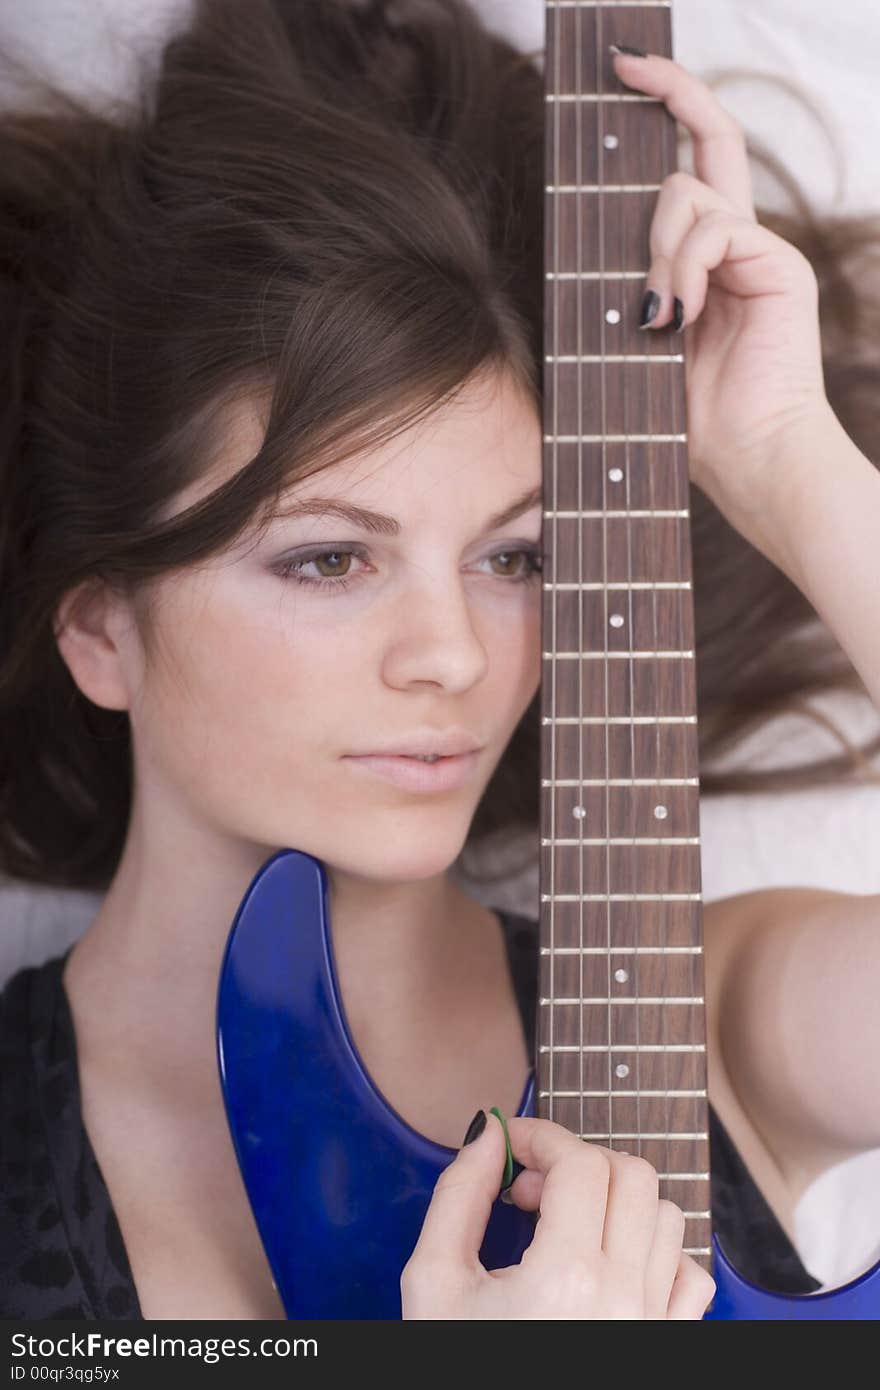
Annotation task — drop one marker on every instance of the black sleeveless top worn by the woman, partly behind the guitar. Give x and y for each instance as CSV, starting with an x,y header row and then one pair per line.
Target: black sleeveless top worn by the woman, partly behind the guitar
x,y
62,1250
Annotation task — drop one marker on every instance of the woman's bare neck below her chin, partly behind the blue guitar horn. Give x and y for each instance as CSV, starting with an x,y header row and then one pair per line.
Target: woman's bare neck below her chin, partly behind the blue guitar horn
x,y
142,981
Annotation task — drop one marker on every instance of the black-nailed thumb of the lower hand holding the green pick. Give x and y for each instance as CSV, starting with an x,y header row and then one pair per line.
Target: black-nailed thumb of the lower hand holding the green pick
x,y
458,1214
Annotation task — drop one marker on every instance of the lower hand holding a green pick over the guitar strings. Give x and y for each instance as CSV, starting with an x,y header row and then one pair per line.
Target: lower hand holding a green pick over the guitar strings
x,y
605,1245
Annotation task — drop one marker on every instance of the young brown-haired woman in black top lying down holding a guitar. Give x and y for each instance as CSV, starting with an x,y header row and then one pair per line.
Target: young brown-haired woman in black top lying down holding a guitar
x,y
272,471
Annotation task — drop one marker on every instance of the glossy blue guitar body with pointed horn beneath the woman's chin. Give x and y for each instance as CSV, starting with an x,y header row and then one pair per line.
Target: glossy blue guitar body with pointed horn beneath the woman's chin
x,y
339,1182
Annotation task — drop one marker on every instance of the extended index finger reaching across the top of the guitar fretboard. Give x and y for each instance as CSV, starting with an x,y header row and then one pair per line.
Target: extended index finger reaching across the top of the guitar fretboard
x,y
721,156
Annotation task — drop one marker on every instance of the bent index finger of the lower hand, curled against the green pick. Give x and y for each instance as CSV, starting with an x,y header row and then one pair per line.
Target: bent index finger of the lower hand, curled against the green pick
x,y
575,1193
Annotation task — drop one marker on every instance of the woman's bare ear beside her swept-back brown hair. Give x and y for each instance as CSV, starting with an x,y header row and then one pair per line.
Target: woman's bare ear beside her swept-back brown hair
x,y
98,639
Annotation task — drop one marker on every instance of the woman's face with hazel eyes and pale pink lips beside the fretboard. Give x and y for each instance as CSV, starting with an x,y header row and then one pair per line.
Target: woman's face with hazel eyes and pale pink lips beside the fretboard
x,y
269,685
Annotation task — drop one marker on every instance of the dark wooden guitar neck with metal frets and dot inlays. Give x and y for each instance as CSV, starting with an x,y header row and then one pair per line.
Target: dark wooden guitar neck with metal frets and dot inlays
x,y
621,1032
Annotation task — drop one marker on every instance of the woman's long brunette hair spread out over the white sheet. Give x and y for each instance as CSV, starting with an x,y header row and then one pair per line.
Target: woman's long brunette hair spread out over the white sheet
x,y
337,208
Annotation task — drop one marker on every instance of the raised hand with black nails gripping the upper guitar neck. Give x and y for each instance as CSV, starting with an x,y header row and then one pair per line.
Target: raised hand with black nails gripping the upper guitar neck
x,y
753,350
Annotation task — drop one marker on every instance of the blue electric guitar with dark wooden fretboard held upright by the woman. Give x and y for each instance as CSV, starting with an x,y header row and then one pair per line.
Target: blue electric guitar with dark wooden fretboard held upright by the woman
x,y
339,1182
